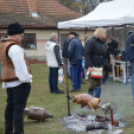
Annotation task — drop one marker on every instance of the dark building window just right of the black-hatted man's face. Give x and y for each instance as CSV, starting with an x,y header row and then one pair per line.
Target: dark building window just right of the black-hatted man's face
x,y
29,41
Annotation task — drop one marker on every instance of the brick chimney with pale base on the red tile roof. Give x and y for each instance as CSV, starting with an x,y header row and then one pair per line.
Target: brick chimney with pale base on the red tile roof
x,y
32,5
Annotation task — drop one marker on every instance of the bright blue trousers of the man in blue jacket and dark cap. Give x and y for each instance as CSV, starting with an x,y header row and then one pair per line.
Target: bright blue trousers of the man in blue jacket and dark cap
x,y
75,73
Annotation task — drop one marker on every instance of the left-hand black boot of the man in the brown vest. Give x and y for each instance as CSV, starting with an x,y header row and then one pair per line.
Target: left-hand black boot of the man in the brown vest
x,y
9,127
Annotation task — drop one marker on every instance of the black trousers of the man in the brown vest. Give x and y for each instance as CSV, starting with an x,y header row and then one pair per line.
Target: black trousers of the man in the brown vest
x,y
16,102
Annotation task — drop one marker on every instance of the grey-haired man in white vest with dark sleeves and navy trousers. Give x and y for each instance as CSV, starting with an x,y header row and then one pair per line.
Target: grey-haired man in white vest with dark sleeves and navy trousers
x,y
54,62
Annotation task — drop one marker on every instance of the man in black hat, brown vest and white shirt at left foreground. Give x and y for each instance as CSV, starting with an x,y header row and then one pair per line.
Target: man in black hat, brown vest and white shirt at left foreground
x,y
16,77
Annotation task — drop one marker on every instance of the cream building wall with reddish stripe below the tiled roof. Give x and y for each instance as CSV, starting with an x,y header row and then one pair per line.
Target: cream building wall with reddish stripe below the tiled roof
x,y
42,35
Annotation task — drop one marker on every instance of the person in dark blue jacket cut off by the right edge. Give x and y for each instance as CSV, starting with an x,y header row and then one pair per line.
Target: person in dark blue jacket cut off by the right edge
x,y
130,56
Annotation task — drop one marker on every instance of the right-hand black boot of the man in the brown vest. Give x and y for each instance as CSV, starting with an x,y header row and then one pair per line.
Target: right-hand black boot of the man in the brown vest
x,y
19,128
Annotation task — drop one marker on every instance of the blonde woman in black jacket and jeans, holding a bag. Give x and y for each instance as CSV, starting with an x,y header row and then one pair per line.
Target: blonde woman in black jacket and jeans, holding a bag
x,y
96,56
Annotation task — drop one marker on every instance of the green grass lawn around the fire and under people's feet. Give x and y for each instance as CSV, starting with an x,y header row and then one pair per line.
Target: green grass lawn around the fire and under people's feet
x,y
56,104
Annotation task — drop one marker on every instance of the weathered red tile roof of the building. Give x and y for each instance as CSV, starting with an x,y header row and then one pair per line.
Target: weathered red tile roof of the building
x,y
50,13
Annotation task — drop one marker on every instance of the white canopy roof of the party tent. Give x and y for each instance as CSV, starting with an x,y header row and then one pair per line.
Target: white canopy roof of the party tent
x,y
116,12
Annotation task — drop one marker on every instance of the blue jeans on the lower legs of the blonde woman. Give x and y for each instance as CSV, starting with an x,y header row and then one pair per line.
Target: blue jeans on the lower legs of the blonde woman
x,y
95,92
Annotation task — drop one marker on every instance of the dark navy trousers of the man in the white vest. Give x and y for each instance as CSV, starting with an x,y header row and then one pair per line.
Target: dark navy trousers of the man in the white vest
x,y
53,79
